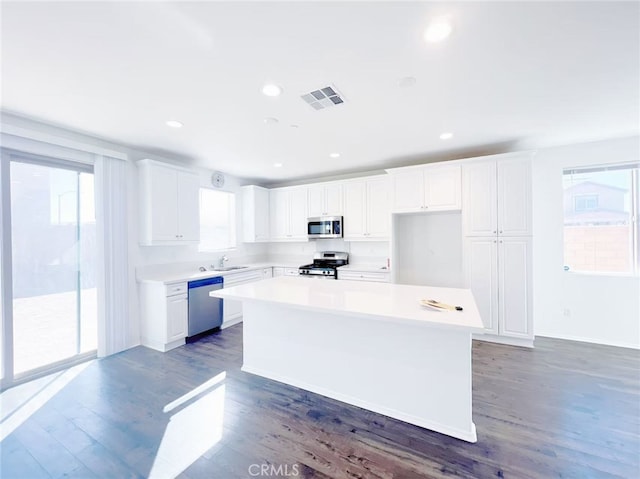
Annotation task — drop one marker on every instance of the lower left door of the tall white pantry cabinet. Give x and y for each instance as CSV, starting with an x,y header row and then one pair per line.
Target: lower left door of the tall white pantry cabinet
x,y
482,278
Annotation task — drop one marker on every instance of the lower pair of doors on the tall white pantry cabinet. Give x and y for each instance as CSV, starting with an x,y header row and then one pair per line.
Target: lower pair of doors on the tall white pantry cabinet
x,y
499,275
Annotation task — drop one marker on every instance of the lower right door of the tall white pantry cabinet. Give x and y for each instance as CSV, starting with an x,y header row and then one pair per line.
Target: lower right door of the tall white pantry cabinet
x,y
514,262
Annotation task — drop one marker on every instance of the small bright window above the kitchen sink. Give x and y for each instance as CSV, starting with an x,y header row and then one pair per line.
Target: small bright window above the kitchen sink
x,y
217,220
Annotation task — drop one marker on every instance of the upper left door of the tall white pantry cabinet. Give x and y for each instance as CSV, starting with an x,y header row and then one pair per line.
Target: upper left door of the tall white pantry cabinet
x,y
479,199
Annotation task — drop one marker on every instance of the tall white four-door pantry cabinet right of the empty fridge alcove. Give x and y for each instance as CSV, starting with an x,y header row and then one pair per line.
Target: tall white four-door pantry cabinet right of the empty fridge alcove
x,y
496,198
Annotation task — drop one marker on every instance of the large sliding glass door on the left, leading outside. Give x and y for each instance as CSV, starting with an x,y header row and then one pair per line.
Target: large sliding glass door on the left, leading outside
x,y
53,315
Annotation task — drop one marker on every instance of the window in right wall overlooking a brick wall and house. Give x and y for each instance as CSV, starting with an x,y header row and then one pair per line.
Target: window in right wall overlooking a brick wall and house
x,y
600,219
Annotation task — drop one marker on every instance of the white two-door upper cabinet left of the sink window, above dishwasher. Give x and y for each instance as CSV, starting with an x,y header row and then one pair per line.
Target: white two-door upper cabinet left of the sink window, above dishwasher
x,y
169,204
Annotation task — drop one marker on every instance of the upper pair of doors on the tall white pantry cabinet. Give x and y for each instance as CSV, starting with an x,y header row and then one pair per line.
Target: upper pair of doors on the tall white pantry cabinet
x,y
497,197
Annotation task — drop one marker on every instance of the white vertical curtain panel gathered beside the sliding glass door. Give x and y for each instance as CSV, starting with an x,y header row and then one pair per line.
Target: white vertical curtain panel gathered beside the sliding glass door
x,y
111,185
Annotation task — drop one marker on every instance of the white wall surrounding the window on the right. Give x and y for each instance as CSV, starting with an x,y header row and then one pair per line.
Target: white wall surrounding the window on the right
x,y
594,308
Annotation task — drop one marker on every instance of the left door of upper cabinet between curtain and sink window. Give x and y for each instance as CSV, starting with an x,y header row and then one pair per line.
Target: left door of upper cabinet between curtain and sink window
x,y
163,206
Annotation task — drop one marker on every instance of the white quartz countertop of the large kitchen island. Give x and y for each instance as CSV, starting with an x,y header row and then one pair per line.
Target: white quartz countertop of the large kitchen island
x,y
382,301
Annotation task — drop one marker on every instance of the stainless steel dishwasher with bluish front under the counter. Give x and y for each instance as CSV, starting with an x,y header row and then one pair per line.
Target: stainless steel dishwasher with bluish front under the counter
x,y
205,312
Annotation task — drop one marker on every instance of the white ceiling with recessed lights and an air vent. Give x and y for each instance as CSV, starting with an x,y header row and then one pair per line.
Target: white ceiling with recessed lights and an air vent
x,y
511,76
